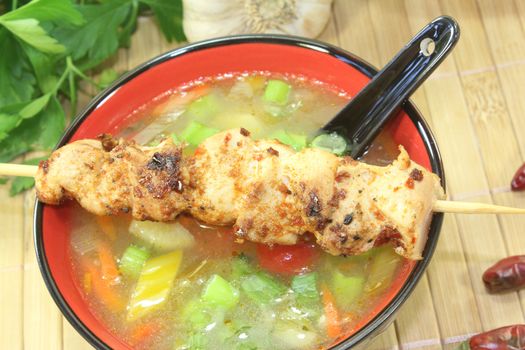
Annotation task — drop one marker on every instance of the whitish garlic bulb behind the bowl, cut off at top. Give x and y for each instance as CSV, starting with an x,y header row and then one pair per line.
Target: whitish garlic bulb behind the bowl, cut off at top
x,y
204,19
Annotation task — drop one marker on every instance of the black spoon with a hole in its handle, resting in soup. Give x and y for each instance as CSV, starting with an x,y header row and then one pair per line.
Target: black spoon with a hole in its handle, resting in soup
x,y
366,114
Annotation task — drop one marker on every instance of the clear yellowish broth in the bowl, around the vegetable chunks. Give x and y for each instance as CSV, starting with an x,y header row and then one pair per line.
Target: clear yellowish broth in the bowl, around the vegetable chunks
x,y
284,323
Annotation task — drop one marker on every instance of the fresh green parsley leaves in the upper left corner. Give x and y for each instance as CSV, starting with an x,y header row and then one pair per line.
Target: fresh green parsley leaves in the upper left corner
x,y
47,48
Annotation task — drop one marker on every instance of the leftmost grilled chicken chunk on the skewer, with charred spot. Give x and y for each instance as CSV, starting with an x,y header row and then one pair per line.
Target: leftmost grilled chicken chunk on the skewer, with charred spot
x,y
108,177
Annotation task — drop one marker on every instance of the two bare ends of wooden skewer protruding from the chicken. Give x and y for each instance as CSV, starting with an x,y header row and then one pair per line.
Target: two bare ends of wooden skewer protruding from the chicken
x,y
441,206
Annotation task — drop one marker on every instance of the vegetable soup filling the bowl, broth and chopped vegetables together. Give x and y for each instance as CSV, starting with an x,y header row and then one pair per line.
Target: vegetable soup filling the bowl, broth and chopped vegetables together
x,y
186,285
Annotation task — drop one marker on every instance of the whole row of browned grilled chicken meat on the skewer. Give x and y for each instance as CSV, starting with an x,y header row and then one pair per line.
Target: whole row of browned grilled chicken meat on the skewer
x,y
269,192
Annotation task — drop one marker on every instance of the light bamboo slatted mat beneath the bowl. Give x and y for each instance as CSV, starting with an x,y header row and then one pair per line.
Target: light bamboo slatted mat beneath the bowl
x,y
475,104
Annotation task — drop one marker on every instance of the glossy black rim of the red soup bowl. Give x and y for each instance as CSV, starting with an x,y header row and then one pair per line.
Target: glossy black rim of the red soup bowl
x,y
364,67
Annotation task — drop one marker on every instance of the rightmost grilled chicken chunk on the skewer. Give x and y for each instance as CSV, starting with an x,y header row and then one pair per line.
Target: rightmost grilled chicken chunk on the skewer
x,y
374,205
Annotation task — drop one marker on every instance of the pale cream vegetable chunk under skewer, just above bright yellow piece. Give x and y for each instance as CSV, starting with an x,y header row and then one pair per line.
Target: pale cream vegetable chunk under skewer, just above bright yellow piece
x,y
162,236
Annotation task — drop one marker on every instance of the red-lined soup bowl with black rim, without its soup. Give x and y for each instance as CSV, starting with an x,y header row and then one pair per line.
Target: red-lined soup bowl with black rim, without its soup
x,y
112,109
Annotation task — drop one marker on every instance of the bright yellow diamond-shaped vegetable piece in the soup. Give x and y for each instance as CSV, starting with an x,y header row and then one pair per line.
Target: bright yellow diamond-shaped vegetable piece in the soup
x,y
154,284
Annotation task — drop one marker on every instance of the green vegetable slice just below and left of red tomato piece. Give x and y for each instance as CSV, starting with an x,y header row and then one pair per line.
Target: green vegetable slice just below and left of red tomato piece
x,y
262,288
